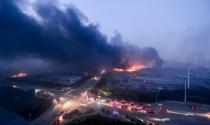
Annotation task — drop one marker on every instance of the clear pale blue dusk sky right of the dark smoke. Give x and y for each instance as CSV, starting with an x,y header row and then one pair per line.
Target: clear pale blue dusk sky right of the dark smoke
x,y
168,25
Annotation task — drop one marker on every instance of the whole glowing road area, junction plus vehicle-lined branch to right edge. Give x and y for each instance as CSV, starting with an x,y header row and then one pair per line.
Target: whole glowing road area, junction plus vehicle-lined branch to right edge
x,y
178,113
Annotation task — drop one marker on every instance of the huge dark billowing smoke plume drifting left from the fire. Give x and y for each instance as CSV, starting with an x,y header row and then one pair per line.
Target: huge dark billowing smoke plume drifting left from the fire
x,y
39,36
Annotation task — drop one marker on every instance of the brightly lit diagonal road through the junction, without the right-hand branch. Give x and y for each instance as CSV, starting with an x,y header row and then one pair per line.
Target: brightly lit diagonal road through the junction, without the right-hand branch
x,y
69,101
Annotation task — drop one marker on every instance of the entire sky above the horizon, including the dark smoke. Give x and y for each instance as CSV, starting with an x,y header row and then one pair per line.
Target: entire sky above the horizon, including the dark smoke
x,y
78,32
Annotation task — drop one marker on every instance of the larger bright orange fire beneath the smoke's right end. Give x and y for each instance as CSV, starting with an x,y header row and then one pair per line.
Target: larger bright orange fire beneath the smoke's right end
x,y
132,68
